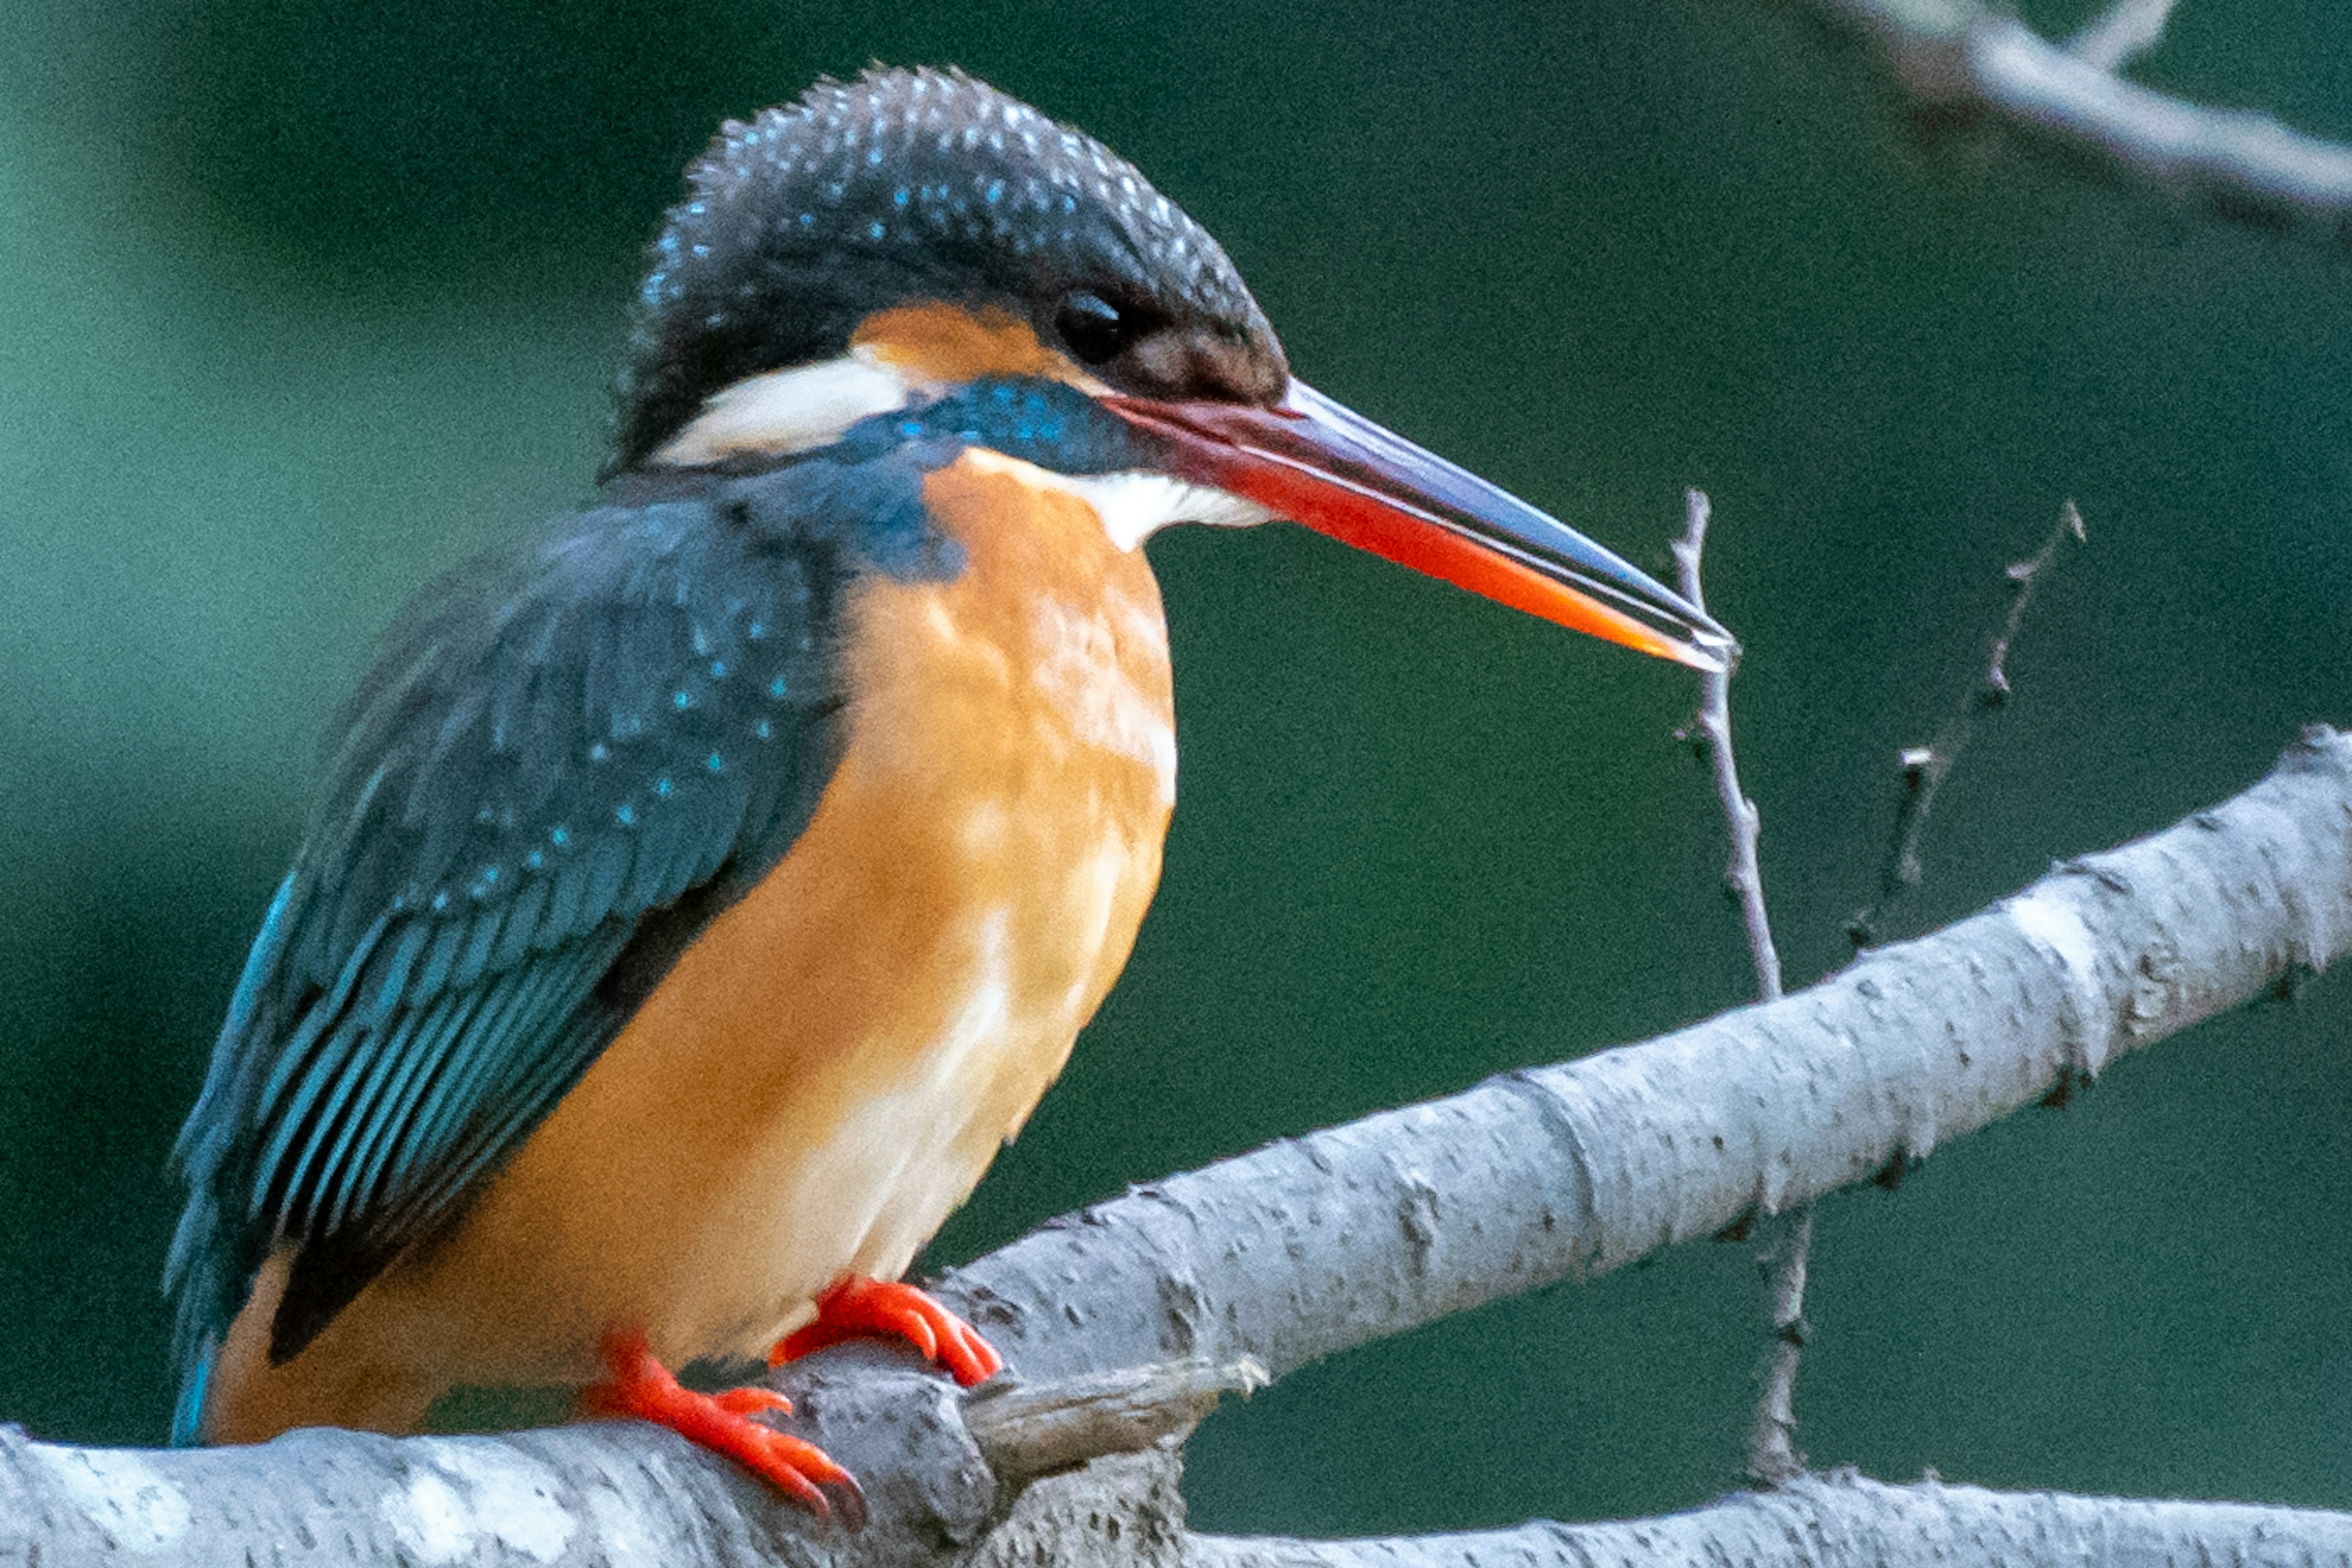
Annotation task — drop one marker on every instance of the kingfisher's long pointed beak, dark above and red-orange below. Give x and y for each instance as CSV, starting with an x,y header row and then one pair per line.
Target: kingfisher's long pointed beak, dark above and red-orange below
x,y
1344,476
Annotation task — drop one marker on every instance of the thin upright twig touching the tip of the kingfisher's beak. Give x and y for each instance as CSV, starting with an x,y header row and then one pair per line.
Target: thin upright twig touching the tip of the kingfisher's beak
x,y
1772,1442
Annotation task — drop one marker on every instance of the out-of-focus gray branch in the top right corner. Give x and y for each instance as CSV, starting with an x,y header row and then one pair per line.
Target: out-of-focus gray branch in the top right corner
x,y
1963,55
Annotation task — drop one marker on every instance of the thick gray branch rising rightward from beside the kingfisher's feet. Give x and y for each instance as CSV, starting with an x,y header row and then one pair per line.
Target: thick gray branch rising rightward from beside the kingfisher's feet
x,y
1351,1235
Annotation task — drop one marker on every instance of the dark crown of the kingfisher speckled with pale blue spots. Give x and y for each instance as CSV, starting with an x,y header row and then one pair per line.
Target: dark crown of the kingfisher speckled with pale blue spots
x,y
923,187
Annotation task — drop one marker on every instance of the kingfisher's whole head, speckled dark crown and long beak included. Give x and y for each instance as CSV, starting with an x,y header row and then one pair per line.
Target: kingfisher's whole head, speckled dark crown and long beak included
x,y
918,243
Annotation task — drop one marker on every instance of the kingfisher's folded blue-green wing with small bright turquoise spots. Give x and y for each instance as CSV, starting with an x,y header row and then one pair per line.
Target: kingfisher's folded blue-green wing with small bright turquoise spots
x,y
552,782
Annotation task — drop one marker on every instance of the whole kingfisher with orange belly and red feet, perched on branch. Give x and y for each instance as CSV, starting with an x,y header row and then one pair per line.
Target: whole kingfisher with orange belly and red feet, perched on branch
x,y
702,892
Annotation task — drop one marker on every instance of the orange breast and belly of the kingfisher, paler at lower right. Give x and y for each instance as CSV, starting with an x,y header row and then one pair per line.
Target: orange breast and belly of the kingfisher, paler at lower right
x,y
831,1068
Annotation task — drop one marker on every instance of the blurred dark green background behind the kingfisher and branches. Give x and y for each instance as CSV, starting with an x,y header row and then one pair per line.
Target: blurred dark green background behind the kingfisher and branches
x,y
302,302
